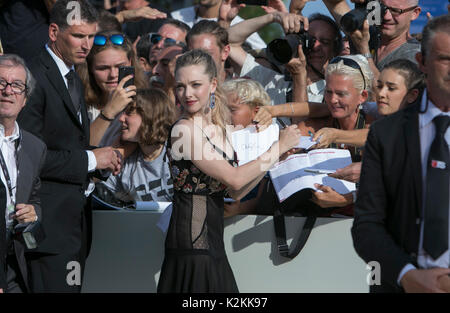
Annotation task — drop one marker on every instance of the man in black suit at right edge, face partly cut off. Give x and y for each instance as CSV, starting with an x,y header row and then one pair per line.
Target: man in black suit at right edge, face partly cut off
x,y
402,211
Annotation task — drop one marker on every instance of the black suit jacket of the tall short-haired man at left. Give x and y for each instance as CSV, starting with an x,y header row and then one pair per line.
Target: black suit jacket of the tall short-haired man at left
x,y
50,115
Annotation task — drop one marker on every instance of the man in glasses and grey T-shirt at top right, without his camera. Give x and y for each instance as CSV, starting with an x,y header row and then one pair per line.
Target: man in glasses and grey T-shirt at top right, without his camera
x,y
396,42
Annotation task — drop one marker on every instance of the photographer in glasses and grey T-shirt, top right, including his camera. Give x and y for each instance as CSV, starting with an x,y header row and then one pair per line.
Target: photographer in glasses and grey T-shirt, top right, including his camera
x,y
393,42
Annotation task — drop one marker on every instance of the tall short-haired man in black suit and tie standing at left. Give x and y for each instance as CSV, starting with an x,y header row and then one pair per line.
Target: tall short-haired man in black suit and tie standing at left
x,y
56,113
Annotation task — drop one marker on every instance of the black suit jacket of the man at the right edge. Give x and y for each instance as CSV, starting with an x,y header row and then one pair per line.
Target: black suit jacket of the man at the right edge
x,y
386,227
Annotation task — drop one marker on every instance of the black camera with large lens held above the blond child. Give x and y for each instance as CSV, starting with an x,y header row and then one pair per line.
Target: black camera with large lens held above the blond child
x,y
281,51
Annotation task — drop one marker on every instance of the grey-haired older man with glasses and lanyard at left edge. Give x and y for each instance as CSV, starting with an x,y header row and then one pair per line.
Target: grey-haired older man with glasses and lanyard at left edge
x,y
21,159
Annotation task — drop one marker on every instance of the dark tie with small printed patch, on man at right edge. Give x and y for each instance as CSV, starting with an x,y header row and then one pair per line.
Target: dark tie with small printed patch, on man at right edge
x,y
435,240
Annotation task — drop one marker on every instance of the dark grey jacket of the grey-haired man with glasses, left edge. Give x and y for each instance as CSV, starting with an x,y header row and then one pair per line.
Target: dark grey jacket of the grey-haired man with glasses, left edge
x,y
30,159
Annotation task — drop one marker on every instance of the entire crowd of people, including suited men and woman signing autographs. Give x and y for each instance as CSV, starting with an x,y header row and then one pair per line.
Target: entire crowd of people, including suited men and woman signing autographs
x,y
77,124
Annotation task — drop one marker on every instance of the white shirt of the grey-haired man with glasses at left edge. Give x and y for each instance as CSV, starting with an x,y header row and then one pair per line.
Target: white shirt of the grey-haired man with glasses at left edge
x,y
8,148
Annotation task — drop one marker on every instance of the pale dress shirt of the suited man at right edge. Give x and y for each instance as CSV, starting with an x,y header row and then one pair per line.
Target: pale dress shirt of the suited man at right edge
x,y
427,131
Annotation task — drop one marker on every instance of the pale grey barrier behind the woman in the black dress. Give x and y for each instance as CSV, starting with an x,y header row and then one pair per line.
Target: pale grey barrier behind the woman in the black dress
x,y
128,250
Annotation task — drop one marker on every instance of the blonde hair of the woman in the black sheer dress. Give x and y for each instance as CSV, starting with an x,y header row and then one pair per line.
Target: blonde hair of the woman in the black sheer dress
x,y
220,114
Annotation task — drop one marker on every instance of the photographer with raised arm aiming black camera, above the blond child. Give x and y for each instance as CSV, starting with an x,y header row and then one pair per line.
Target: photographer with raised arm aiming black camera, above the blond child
x,y
320,41
